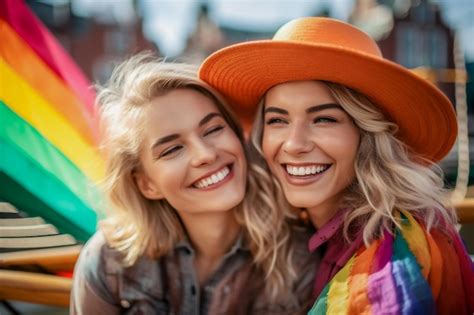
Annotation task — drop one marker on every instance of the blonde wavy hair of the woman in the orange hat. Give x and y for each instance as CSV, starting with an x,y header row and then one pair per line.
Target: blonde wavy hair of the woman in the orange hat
x,y
388,175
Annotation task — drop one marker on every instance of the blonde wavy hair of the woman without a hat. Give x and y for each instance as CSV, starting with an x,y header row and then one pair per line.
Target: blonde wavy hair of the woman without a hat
x,y
138,226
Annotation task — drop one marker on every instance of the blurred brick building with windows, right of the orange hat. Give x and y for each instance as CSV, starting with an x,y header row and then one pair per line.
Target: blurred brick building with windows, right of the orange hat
x,y
415,35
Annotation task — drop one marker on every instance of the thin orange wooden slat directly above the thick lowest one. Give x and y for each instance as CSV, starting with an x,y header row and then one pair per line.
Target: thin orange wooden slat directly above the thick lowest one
x,y
51,259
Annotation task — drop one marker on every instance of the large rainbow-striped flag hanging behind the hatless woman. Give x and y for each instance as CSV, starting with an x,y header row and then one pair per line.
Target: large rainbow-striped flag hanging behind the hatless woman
x,y
49,162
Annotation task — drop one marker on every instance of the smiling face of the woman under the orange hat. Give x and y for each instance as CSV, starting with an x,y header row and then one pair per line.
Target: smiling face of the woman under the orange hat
x,y
310,144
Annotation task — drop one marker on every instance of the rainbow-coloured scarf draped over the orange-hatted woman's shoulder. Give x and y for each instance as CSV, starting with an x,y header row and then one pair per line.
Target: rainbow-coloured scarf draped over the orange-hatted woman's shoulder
x,y
407,272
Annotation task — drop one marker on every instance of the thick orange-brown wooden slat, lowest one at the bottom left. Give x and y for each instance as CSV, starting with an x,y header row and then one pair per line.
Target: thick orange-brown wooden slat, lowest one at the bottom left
x,y
34,288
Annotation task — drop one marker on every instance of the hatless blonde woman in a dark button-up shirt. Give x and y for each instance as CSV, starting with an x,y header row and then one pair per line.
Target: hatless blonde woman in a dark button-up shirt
x,y
192,229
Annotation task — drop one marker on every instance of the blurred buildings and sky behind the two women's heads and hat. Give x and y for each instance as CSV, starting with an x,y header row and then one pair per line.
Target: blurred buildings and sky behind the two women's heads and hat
x,y
424,35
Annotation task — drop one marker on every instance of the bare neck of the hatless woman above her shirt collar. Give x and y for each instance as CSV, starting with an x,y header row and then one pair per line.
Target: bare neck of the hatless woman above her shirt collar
x,y
212,235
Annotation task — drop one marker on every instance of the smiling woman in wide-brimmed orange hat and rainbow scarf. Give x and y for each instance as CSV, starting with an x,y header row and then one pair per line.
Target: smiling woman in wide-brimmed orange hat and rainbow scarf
x,y
353,140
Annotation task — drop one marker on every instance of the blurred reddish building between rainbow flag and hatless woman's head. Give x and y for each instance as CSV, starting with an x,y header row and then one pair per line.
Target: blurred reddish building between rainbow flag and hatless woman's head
x,y
99,38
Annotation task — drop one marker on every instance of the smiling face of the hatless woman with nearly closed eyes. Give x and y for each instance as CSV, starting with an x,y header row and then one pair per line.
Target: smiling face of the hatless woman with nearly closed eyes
x,y
191,157
